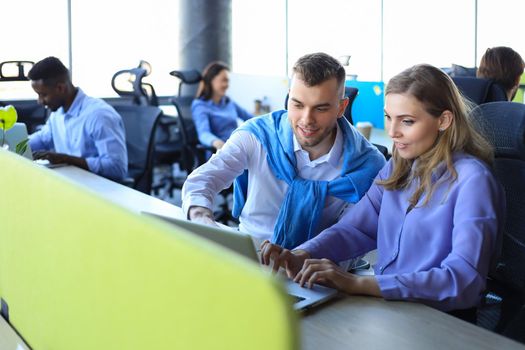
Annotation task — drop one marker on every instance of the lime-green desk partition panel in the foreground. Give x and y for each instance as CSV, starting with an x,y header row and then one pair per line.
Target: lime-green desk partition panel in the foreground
x,y
81,273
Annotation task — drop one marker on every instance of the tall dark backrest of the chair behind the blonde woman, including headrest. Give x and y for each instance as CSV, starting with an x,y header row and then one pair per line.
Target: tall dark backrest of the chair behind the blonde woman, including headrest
x,y
503,124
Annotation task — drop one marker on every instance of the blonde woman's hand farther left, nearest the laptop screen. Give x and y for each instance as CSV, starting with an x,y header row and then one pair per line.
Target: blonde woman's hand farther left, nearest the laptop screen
x,y
292,261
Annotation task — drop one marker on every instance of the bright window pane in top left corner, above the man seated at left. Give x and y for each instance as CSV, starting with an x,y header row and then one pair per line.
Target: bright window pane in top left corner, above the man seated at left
x,y
28,35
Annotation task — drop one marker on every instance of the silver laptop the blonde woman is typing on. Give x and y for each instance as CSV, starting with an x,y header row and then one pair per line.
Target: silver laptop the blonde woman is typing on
x,y
242,244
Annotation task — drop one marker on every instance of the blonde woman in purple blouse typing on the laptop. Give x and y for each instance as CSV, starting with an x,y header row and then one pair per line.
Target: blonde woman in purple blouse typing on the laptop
x,y
433,213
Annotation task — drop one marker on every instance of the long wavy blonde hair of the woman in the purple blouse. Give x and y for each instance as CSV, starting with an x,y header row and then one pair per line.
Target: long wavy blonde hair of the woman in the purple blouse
x,y
437,93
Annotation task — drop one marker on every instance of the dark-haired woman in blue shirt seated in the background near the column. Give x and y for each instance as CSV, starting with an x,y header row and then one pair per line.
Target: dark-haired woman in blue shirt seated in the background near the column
x,y
215,114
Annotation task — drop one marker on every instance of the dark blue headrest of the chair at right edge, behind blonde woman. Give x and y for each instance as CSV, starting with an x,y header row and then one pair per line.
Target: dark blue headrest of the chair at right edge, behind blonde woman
x,y
503,124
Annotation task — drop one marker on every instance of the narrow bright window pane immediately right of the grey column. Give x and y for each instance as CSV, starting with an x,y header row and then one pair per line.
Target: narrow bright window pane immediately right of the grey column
x,y
259,37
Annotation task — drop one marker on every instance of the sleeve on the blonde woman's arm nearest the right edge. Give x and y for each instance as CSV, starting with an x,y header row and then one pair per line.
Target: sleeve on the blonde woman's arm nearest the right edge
x,y
459,280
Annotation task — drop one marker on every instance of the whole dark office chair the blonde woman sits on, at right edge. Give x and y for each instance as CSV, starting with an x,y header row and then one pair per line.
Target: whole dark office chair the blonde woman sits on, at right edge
x,y
503,124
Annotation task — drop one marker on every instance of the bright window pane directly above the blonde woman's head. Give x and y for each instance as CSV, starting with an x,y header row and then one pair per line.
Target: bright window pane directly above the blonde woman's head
x,y
440,33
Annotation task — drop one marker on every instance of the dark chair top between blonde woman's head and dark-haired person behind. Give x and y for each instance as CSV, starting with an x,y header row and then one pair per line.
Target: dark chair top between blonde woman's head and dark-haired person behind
x,y
480,90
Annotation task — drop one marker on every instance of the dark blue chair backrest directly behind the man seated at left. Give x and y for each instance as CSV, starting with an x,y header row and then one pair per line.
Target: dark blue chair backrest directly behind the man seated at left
x,y
140,123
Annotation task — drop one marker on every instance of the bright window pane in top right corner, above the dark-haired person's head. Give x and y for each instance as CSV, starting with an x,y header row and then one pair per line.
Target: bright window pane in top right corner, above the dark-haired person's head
x,y
500,24
